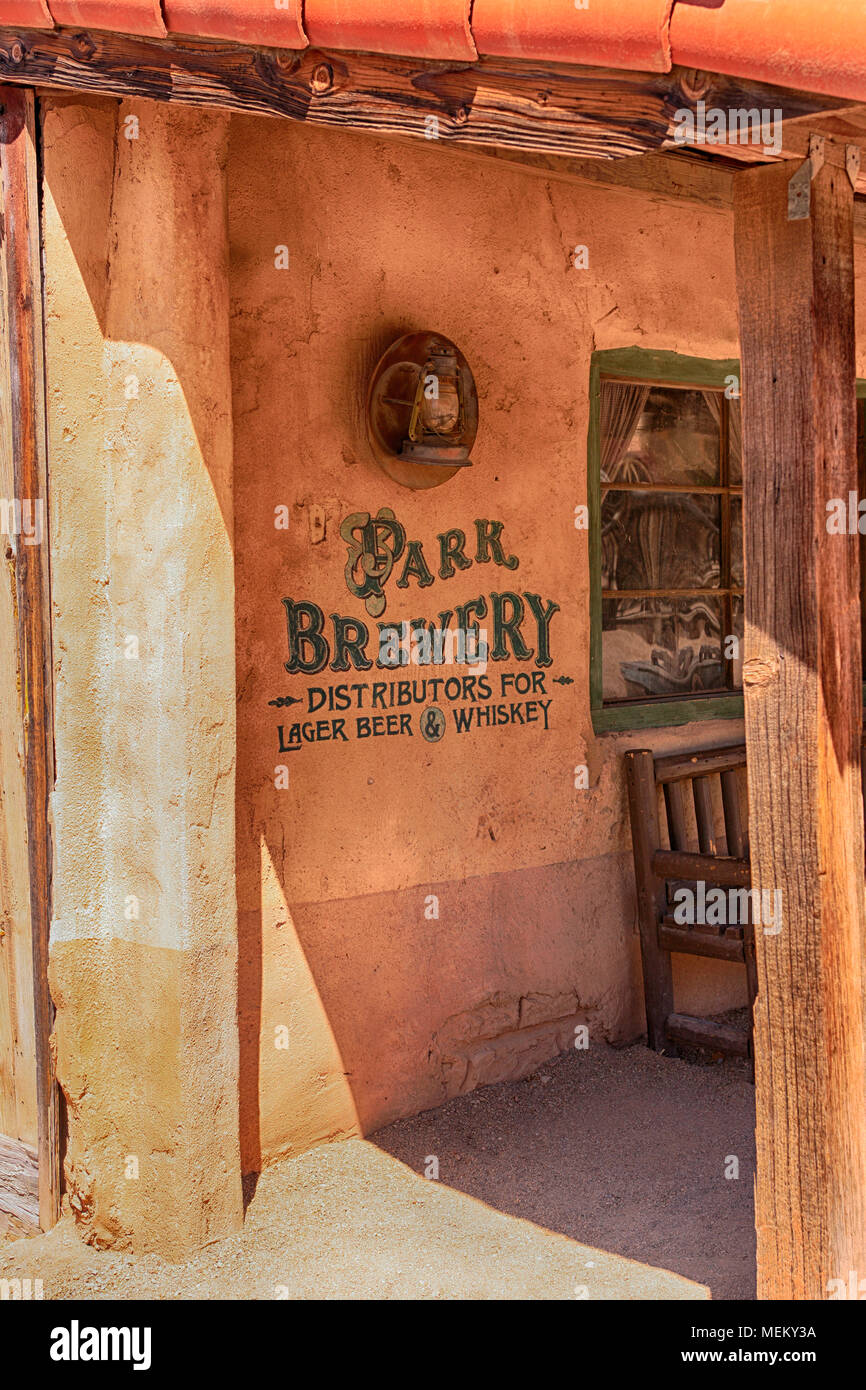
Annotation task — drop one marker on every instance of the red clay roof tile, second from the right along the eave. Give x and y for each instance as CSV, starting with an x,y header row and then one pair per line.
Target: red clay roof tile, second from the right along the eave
x,y
614,34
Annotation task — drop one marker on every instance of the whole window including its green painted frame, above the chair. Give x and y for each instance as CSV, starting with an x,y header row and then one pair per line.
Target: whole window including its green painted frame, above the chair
x,y
667,544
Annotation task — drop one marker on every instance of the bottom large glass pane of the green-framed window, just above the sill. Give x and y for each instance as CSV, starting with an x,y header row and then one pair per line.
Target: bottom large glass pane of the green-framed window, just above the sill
x,y
661,647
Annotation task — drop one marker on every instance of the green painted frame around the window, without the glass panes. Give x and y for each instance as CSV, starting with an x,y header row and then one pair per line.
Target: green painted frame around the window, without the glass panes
x,y
678,370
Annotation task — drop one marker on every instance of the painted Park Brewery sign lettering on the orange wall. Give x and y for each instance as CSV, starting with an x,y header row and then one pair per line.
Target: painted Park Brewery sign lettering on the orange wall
x,y
504,625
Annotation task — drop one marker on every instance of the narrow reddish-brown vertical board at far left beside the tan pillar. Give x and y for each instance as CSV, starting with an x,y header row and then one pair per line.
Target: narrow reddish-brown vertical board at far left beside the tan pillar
x,y
22,348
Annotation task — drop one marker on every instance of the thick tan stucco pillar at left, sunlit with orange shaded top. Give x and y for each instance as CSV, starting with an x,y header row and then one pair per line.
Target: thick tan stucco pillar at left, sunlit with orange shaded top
x,y
144,938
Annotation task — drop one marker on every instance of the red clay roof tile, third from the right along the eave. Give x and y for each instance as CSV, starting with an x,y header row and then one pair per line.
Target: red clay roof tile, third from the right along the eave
x,y
416,28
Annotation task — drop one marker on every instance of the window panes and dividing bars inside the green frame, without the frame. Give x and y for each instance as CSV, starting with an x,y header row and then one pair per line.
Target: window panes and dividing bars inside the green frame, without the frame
x,y
672,541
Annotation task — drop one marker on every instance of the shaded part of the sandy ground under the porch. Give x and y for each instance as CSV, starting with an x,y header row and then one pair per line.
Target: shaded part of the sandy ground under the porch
x,y
623,1150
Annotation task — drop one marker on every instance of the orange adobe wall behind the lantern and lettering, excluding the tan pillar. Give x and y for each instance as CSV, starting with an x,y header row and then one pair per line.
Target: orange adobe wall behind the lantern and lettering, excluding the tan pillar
x,y
390,1011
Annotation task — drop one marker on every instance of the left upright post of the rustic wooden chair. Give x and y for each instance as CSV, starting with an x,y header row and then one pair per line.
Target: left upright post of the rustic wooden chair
x,y
658,976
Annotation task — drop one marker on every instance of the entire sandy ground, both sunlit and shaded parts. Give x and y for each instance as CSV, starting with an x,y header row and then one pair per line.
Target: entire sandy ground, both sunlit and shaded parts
x,y
601,1177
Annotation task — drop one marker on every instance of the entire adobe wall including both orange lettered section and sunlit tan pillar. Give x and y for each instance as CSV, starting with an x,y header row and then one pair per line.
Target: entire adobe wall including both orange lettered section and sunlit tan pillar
x,y
415,918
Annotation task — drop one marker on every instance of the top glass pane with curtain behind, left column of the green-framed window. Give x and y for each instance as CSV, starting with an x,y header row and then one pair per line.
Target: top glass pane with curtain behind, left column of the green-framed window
x,y
660,434
